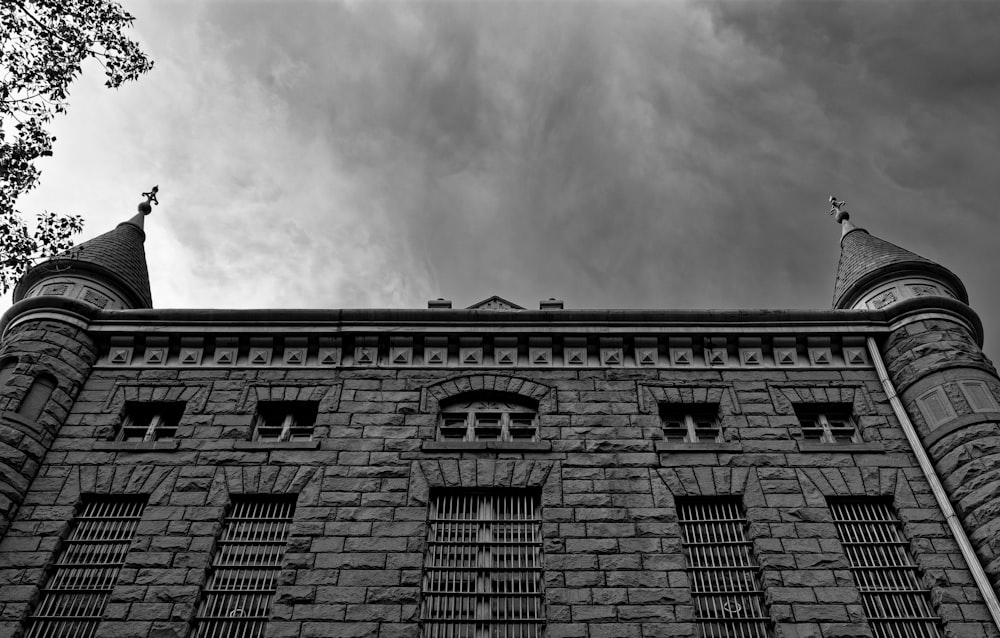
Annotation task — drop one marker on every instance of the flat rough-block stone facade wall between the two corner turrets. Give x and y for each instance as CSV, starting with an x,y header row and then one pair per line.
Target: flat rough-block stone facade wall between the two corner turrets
x,y
608,483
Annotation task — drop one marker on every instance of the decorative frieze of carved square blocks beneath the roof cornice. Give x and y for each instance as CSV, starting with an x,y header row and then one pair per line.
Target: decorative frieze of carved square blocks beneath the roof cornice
x,y
505,350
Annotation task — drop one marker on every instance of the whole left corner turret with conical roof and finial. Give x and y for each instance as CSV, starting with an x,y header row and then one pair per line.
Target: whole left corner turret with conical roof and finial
x,y
46,353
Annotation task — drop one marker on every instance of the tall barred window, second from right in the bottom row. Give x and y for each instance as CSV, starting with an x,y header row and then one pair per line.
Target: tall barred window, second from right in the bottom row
x,y
725,576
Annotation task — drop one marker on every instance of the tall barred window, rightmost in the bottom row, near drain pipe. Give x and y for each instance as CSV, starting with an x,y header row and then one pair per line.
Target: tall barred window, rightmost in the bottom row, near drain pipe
x,y
897,604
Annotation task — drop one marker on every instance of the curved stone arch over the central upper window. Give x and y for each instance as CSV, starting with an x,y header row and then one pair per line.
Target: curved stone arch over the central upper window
x,y
518,389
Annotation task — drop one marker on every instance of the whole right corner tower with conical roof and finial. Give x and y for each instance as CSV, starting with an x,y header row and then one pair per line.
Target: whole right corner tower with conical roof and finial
x,y
949,389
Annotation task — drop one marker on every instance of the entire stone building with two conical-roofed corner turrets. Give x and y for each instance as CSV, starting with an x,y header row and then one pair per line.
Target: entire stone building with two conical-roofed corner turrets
x,y
497,471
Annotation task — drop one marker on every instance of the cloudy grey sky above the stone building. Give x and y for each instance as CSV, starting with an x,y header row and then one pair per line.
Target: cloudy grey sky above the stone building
x,y
611,154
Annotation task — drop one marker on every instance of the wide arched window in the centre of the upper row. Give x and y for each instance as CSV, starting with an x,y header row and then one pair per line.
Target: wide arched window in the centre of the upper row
x,y
489,418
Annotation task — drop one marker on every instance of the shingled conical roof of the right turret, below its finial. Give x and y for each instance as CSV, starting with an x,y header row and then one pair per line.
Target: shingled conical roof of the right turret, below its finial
x,y
865,259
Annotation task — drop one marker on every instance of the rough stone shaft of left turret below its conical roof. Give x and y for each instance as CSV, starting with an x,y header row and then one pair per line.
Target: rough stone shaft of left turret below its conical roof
x,y
39,347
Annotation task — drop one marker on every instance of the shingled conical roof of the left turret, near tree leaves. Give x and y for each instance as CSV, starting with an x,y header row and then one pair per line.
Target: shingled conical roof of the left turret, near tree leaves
x,y
117,255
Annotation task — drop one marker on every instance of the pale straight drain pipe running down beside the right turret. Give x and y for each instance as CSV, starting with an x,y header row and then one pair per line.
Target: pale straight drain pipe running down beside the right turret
x,y
968,553
